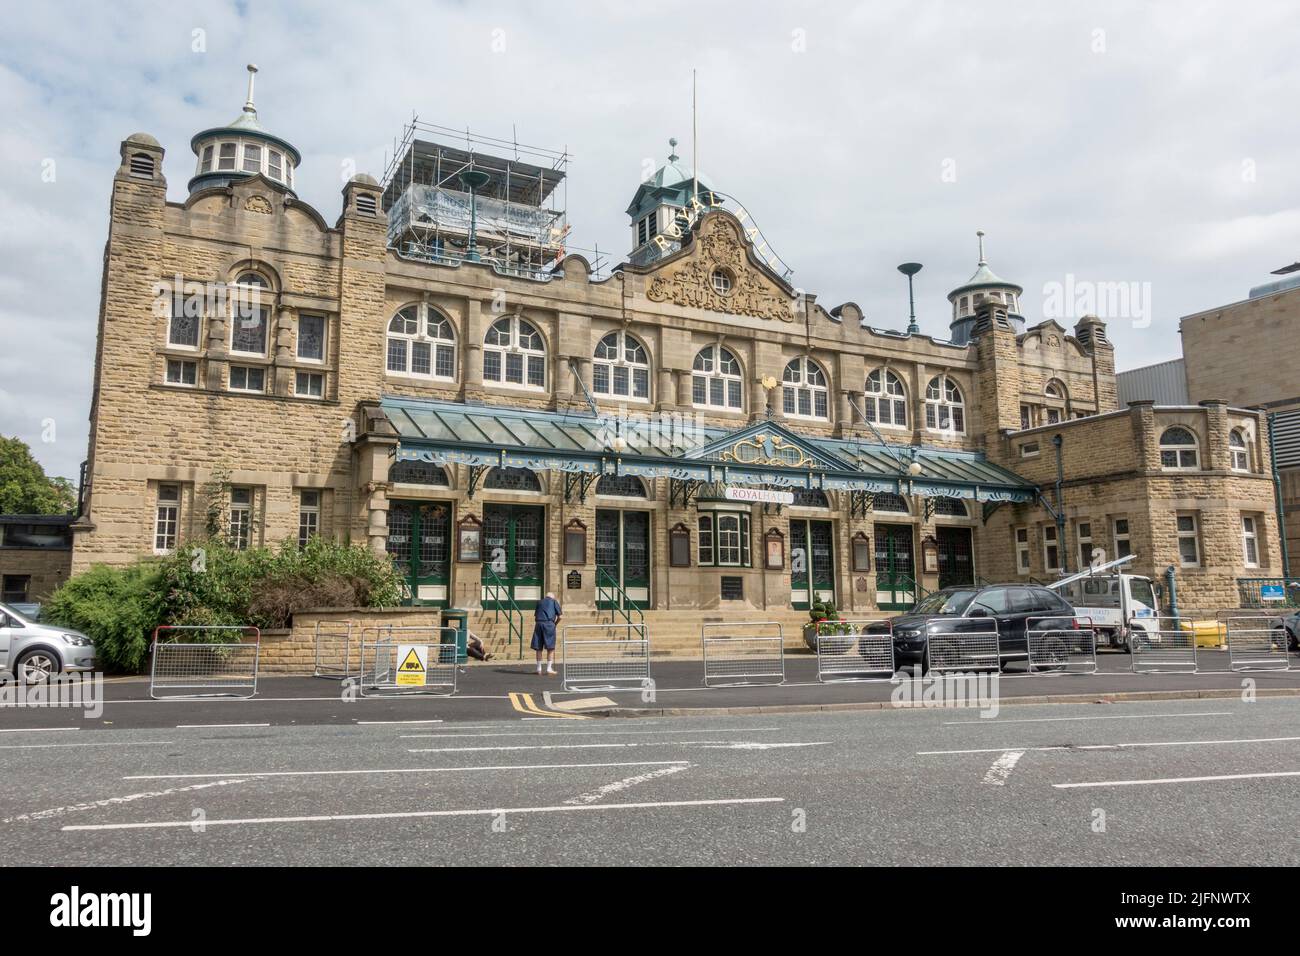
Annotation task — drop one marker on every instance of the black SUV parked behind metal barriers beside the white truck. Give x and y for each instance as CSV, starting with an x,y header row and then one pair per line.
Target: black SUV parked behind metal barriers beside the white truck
x,y
973,609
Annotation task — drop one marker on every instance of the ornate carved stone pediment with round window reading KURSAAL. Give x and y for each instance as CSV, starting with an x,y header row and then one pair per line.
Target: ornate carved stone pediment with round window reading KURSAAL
x,y
722,246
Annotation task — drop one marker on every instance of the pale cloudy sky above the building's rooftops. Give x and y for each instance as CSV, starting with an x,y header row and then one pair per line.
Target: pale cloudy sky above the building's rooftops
x,y
1146,144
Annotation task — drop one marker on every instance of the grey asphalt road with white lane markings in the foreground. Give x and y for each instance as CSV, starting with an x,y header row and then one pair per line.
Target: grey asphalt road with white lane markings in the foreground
x,y
1195,782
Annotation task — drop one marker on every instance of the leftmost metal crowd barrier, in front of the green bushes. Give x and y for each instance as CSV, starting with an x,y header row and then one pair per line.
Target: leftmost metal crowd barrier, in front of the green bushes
x,y
205,661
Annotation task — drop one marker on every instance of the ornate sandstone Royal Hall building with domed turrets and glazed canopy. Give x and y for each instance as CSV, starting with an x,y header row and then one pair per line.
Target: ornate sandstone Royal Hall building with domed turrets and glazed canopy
x,y
435,374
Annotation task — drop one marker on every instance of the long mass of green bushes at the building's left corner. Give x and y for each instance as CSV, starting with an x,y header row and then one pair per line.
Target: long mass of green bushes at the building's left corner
x,y
211,585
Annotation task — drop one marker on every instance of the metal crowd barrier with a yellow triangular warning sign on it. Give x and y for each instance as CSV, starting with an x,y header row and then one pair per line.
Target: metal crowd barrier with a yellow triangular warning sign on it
x,y
405,661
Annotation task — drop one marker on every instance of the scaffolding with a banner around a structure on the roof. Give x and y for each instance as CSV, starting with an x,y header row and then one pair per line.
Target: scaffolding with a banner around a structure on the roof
x,y
519,230
